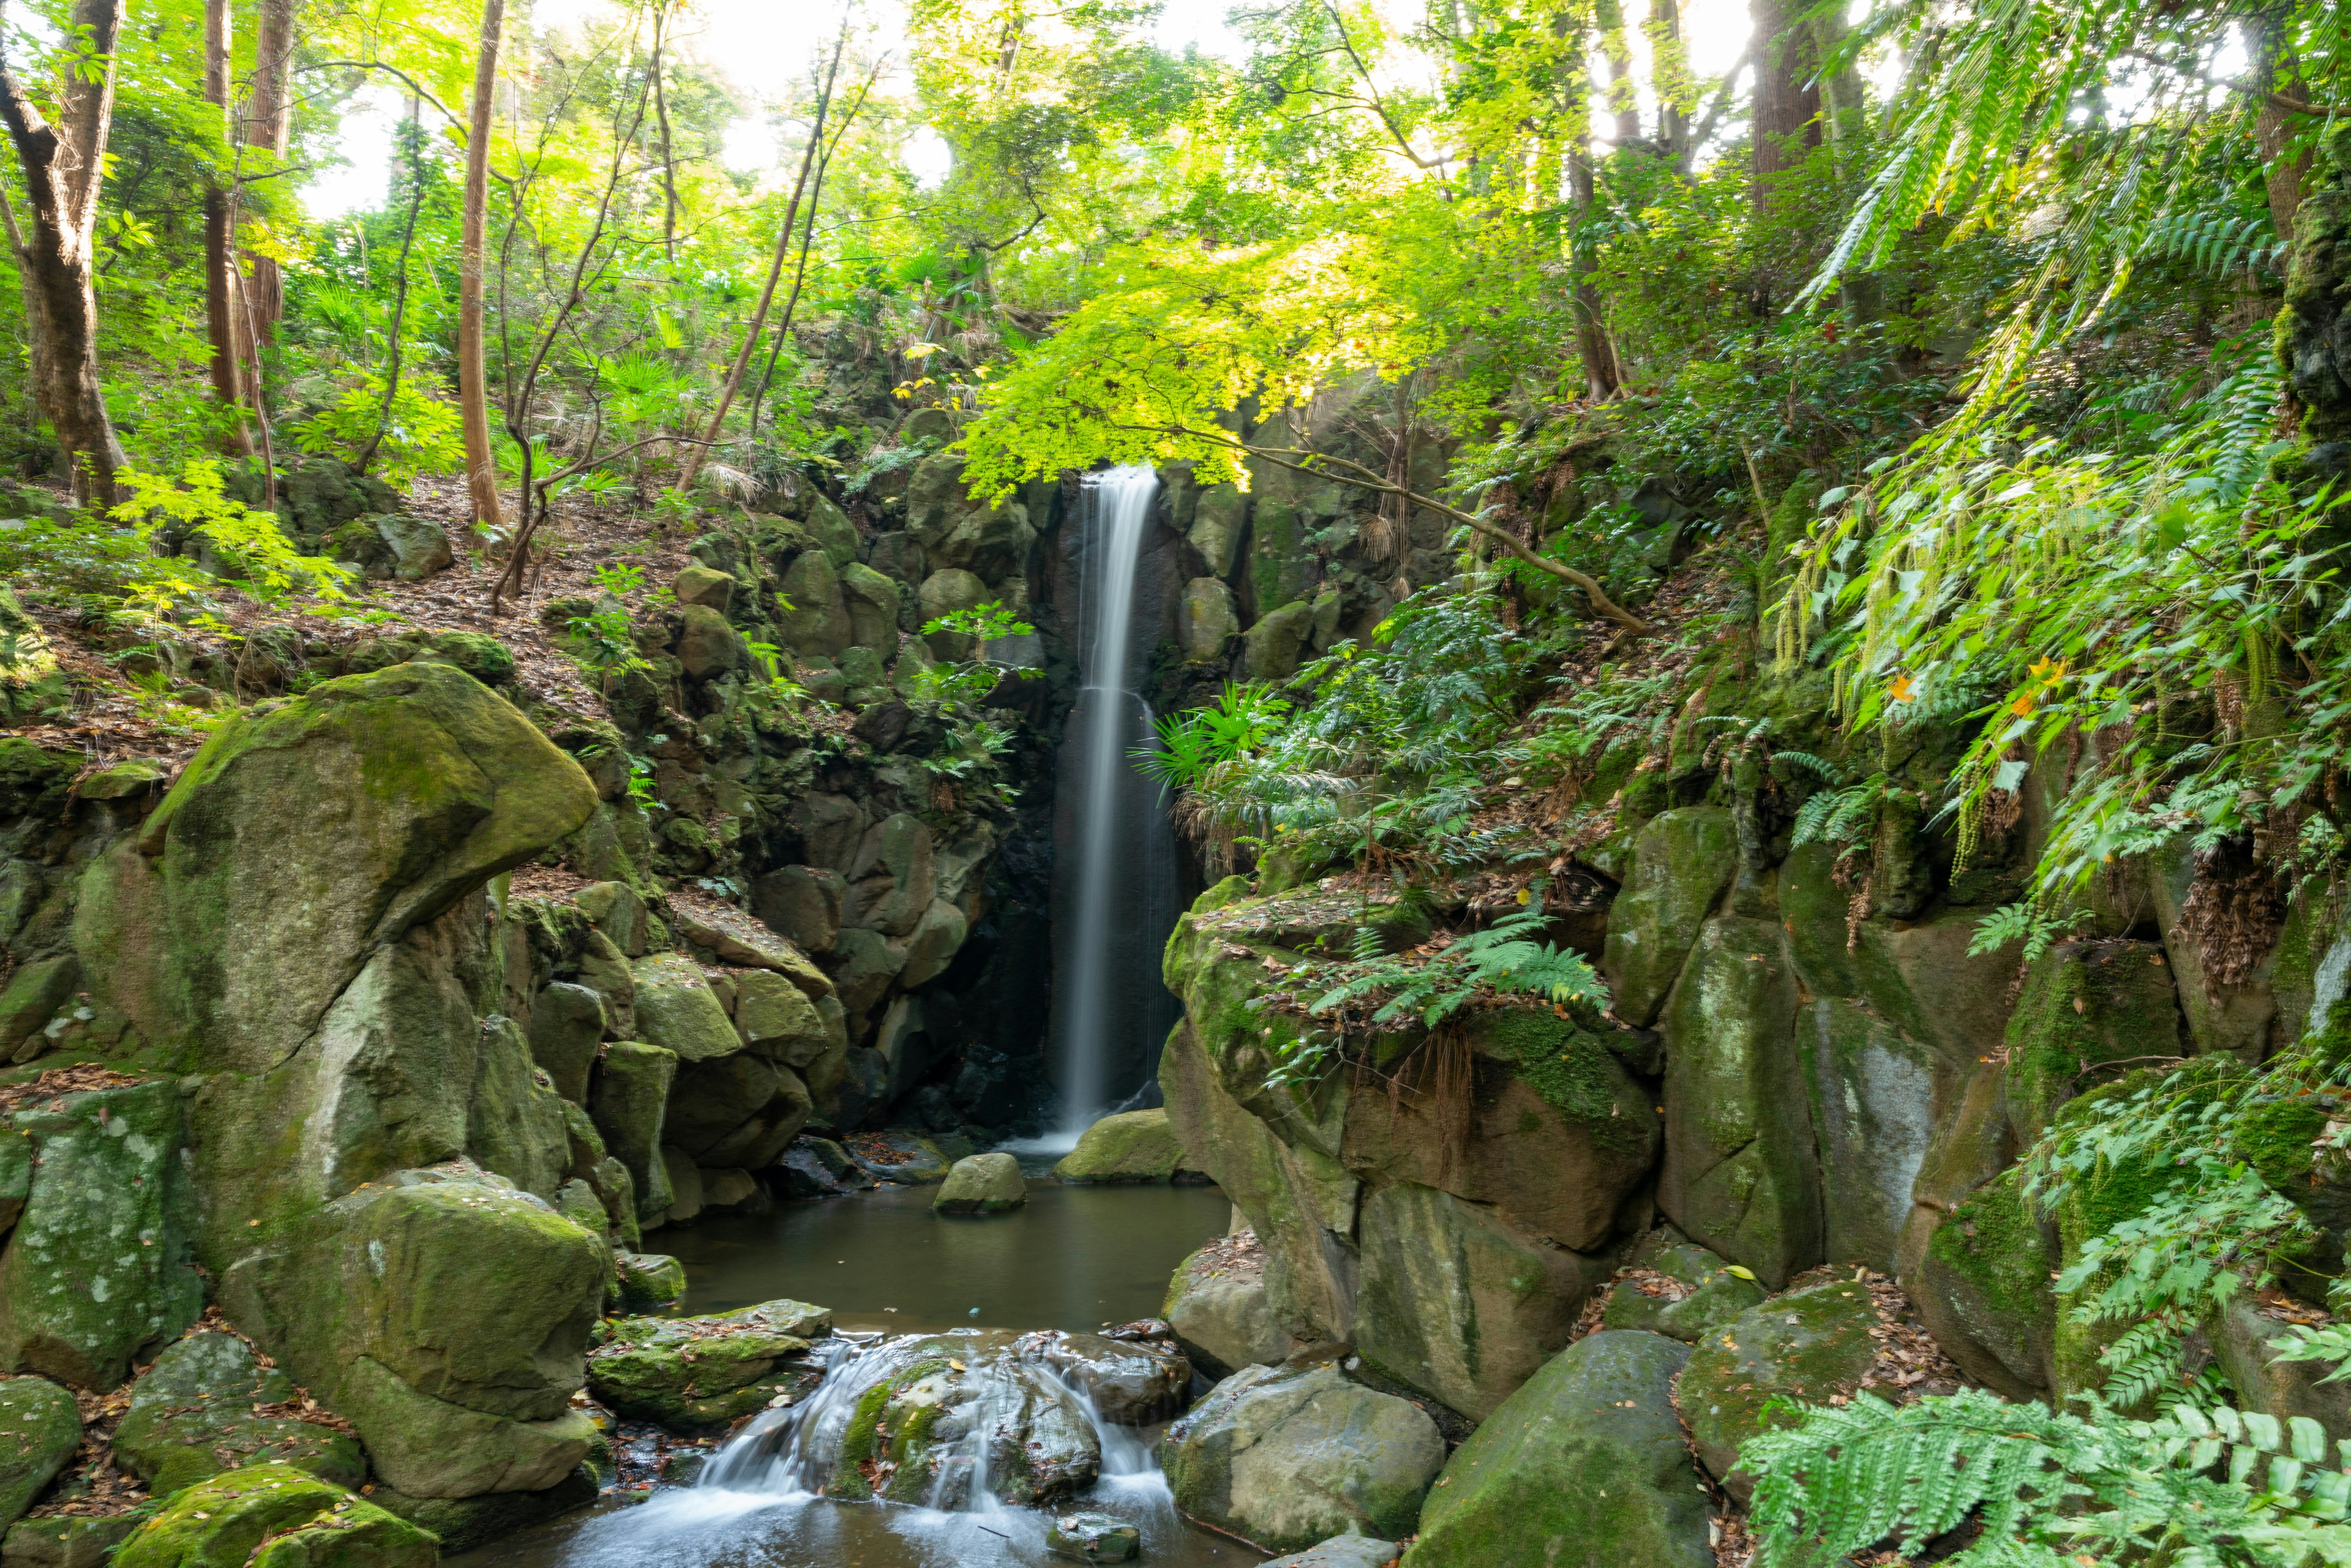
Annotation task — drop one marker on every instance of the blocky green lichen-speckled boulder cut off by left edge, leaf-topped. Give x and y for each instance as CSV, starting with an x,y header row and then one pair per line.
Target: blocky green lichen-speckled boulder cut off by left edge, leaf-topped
x,y
100,1266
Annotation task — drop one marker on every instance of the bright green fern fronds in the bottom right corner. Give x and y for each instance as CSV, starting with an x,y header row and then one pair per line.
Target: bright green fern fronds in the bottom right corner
x,y
2195,1487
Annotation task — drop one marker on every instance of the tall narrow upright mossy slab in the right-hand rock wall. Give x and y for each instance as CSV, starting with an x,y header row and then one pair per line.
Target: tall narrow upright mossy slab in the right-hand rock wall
x,y
1741,1165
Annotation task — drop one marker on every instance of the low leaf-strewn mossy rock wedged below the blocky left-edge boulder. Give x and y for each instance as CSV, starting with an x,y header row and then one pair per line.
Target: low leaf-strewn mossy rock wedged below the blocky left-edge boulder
x,y
196,1414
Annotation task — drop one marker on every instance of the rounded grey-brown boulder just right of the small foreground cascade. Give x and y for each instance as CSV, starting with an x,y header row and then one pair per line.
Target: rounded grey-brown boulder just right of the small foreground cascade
x,y
1292,1456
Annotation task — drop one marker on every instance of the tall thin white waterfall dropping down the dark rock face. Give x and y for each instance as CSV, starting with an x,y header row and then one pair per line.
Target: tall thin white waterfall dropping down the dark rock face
x,y
1118,887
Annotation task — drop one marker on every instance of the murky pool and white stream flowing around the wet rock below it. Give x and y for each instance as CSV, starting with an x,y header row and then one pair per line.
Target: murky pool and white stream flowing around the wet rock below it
x,y
1073,1259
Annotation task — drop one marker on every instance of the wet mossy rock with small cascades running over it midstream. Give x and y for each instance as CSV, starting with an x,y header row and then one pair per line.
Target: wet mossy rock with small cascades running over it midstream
x,y
937,1412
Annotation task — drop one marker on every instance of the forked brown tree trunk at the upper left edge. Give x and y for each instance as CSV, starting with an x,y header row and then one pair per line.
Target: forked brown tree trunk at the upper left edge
x,y
62,168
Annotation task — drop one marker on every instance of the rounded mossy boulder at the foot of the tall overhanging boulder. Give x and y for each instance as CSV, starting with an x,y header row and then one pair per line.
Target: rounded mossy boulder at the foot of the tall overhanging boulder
x,y
446,1315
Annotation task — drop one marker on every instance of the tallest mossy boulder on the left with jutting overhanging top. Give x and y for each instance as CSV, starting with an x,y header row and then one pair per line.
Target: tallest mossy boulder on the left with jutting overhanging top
x,y
351,829
